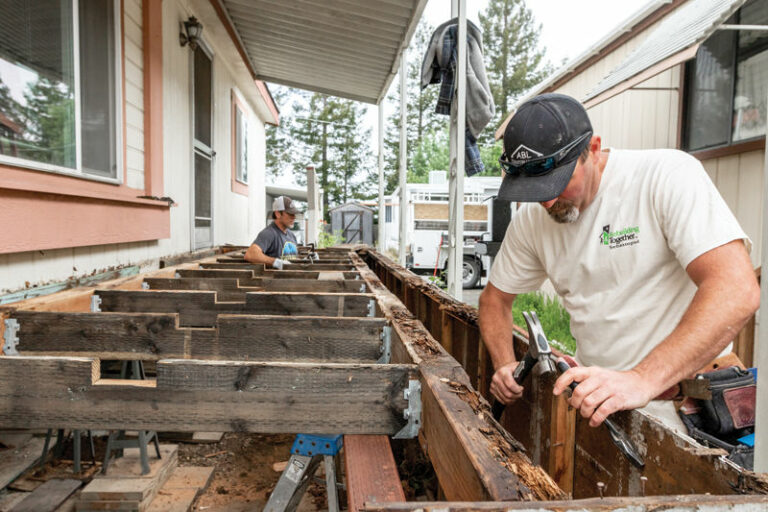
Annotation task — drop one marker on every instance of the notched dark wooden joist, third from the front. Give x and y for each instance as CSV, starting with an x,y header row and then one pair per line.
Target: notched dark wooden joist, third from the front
x,y
200,308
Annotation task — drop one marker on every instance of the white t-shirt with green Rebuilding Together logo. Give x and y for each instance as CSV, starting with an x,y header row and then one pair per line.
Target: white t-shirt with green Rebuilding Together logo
x,y
620,268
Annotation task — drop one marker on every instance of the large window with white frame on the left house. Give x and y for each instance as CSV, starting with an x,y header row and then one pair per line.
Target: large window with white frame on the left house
x,y
58,92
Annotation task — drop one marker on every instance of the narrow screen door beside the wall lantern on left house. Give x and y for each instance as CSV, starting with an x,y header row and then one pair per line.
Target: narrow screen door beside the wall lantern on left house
x,y
202,142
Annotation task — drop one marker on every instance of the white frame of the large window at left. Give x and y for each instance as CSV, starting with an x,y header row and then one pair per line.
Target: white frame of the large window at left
x,y
118,114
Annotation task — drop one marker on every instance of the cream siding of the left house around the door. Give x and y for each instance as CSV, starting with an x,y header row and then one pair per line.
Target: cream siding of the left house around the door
x,y
237,218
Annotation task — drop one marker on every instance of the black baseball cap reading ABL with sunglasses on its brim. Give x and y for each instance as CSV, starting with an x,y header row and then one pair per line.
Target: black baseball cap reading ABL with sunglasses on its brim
x,y
542,144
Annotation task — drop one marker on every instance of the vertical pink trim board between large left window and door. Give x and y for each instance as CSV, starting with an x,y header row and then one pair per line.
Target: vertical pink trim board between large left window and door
x,y
152,14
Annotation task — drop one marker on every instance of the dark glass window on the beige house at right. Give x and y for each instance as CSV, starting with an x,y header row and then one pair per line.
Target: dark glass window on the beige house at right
x,y
726,85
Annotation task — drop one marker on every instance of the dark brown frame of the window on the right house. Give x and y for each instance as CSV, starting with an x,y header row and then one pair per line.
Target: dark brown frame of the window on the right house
x,y
731,146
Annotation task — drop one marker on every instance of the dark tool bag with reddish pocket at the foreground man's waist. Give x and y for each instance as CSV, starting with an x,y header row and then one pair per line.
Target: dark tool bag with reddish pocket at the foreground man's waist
x,y
728,414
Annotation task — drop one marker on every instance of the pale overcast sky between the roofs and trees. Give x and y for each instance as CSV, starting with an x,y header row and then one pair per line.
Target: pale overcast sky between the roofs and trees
x,y
568,29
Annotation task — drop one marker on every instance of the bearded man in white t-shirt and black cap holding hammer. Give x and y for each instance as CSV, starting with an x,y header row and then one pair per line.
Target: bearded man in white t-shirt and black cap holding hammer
x,y
649,261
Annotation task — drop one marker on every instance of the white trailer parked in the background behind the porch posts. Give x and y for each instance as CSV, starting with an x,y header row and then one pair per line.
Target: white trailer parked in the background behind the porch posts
x,y
427,225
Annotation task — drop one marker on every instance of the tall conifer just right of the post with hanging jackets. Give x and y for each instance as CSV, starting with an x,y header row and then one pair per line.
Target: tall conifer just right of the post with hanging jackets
x,y
514,60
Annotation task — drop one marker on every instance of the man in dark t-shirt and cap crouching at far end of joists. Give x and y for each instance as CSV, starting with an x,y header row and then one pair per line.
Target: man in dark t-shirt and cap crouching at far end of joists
x,y
276,241
